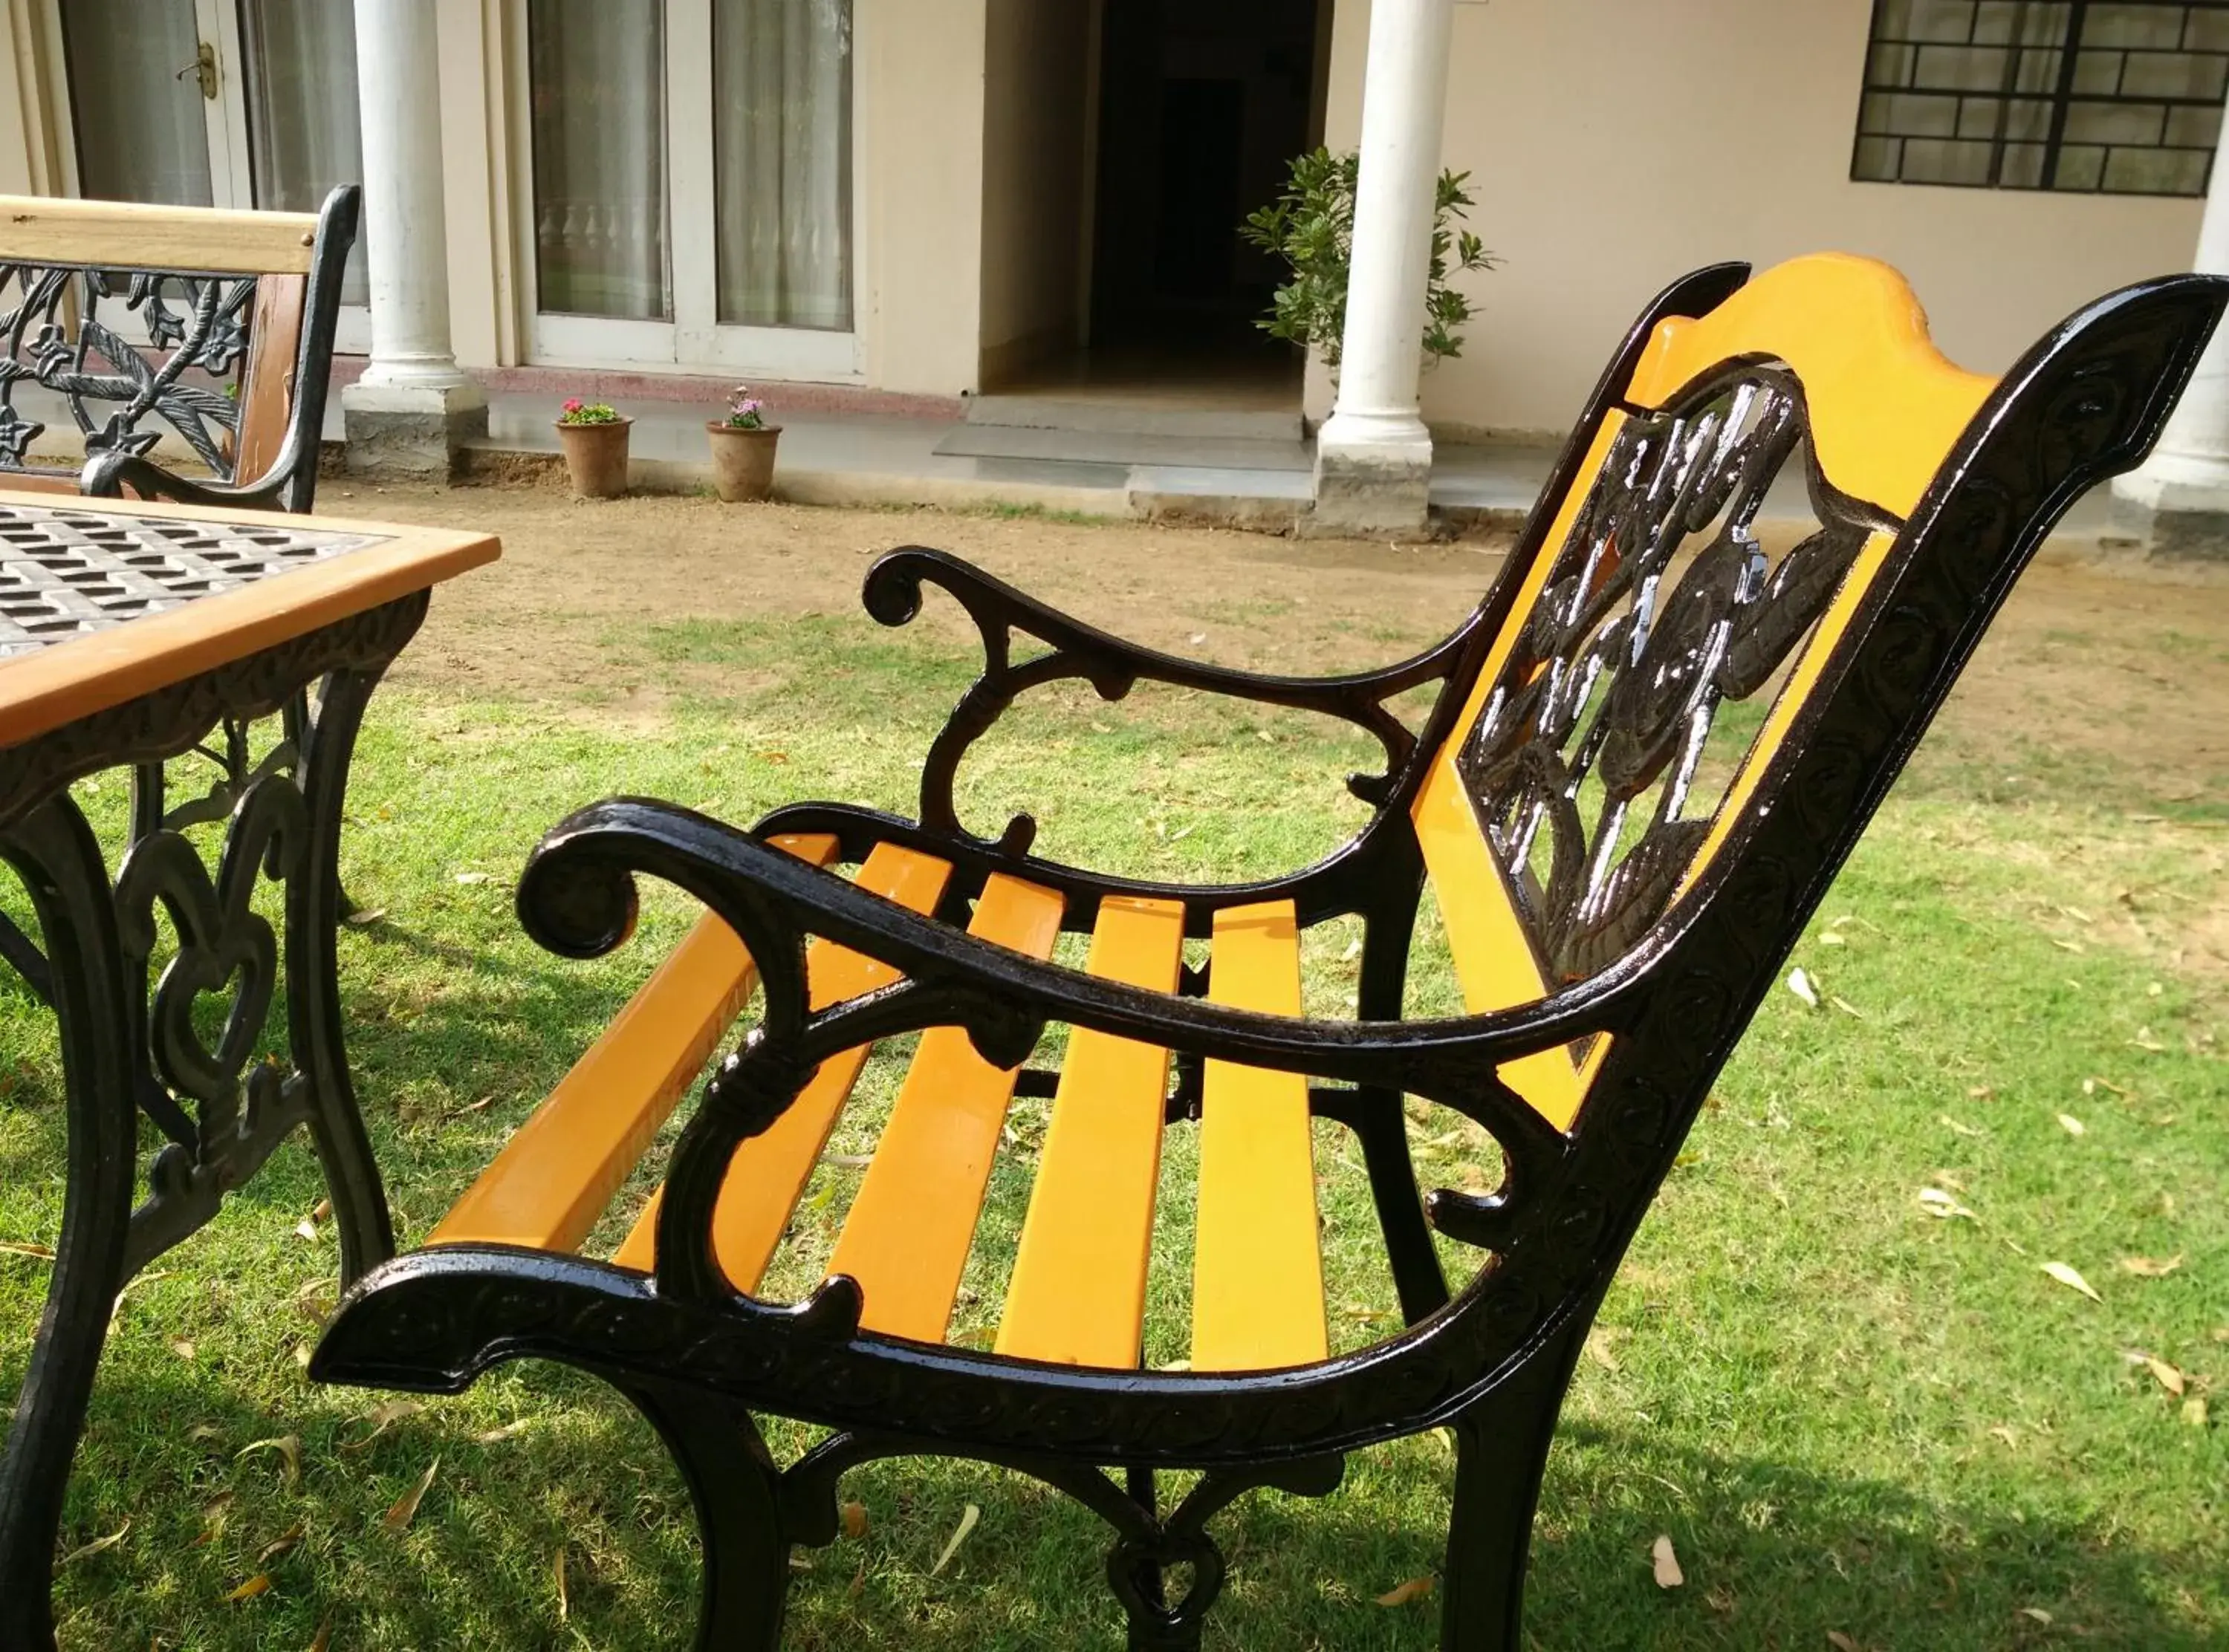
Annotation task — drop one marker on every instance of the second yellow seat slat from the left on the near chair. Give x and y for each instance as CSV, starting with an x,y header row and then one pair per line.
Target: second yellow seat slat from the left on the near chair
x,y
770,1172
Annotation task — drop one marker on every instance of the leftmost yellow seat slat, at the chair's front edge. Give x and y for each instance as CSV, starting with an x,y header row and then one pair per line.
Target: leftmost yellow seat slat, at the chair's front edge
x,y
561,1169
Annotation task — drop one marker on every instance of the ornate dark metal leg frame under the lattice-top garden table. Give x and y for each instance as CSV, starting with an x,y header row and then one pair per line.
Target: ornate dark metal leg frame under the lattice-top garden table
x,y
128,1053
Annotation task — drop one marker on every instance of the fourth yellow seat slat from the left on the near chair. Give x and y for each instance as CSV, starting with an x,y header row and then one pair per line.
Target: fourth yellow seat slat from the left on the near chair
x,y
1078,1294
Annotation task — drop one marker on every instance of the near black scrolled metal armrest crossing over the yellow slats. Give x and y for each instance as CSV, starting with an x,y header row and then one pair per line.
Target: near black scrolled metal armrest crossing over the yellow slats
x,y
578,900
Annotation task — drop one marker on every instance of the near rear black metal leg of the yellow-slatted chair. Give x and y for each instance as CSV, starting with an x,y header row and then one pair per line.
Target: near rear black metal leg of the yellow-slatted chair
x,y
1501,1455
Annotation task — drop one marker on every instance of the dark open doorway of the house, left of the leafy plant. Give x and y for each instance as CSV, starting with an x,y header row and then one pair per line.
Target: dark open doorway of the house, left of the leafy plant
x,y
1203,104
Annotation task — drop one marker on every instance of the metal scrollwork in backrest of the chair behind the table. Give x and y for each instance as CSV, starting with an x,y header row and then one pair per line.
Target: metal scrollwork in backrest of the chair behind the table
x,y
52,333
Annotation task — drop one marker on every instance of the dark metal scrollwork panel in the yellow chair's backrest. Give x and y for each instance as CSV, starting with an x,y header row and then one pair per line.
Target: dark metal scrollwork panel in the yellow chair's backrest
x,y
1639,639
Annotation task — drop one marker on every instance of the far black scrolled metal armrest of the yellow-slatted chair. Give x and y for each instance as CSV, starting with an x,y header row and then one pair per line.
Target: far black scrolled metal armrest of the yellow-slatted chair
x,y
1113,668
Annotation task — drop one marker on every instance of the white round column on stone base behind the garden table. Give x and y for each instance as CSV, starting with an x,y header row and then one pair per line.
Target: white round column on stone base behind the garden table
x,y
413,407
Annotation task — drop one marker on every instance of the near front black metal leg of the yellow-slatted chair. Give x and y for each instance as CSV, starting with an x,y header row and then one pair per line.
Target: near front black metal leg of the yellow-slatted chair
x,y
737,1495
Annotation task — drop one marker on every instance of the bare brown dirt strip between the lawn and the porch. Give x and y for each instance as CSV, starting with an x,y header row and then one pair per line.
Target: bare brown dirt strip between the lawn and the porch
x,y
2128,672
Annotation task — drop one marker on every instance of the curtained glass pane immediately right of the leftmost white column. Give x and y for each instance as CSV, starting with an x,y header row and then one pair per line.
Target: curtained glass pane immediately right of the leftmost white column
x,y
601,159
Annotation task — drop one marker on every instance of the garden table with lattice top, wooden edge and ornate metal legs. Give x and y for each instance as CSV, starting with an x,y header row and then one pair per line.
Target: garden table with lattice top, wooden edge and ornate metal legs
x,y
133,634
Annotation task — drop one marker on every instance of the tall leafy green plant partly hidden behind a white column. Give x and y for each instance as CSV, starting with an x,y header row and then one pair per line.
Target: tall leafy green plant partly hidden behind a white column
x,y
1312,226
